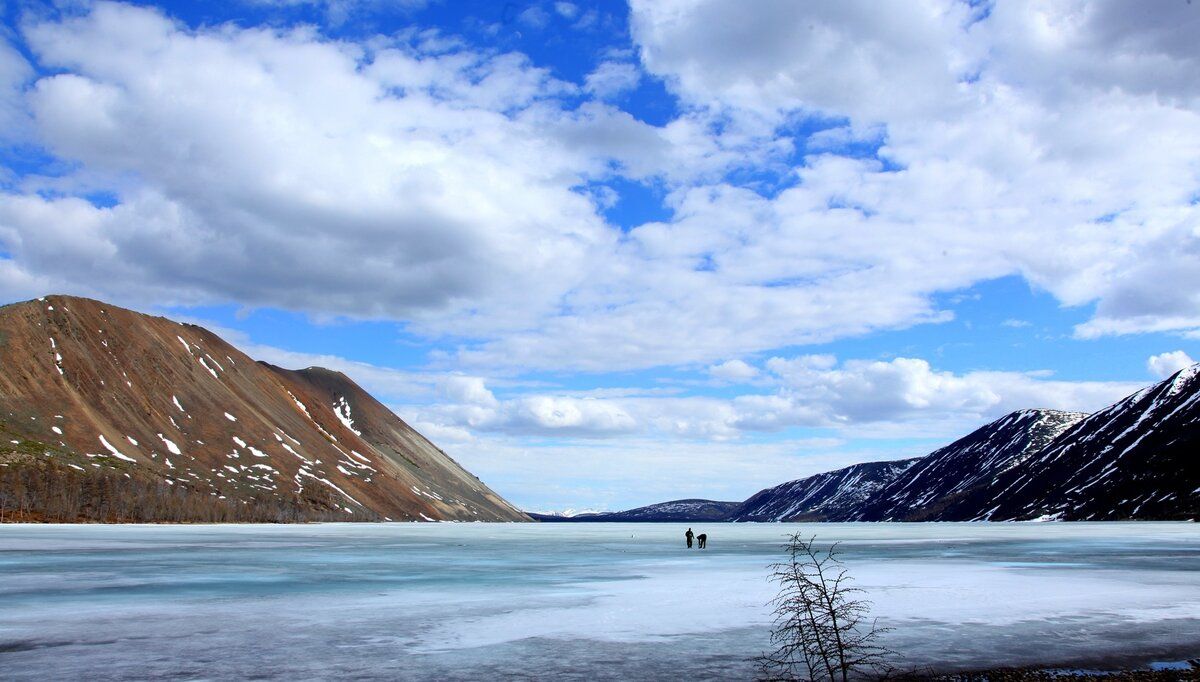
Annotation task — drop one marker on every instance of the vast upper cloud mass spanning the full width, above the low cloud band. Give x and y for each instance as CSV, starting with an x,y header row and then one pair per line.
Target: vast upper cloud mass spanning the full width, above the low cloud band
x,y
413,178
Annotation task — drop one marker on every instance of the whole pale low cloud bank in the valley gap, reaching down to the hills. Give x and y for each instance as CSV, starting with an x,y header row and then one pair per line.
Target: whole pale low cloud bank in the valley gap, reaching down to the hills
x,y
715,441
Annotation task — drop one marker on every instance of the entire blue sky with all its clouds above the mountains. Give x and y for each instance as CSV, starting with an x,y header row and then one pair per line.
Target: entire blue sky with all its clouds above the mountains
x,y
608,255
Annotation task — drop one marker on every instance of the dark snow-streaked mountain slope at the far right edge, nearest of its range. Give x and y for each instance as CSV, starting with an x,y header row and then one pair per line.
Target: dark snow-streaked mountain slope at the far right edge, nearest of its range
x,y
1137,459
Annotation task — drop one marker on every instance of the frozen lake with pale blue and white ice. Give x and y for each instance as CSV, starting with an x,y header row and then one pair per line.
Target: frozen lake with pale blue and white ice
x,y
569,601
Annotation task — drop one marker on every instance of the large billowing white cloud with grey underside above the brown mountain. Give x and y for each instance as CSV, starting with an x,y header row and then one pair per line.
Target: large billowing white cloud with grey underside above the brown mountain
x,y
285,174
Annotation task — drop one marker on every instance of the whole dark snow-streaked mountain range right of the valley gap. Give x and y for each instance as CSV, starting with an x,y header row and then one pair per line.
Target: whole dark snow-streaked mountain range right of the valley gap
x,y
1138,459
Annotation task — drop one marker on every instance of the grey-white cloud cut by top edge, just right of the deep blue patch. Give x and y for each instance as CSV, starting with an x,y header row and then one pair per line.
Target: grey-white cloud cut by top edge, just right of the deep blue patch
x,y
866,61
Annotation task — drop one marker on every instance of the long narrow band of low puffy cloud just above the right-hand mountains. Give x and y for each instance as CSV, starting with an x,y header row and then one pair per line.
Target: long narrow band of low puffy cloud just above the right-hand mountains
x,y
899,398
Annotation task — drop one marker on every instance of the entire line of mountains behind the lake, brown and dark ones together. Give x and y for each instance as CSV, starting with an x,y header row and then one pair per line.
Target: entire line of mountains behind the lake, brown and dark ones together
x,y
111,415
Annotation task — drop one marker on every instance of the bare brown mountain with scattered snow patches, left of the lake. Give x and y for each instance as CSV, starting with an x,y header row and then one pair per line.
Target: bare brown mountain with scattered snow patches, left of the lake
x,y
107,414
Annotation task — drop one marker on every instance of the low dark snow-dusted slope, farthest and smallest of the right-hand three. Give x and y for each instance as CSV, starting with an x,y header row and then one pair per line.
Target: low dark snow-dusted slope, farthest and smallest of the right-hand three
x,y
823,498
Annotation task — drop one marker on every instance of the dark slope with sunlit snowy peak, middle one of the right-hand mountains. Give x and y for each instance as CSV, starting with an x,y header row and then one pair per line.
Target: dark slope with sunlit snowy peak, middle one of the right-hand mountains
x,y
938,480
